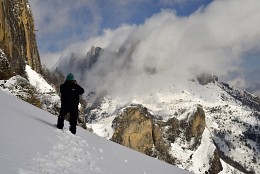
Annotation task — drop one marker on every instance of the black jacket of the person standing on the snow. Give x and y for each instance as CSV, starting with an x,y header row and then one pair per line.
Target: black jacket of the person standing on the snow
x,y
70,92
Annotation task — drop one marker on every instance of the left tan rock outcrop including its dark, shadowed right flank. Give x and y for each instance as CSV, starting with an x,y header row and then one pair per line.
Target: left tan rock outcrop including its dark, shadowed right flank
x,y
135,128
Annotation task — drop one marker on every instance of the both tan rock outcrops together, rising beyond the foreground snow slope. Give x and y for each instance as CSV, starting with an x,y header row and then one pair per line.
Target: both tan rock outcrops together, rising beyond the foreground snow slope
x,y
138,129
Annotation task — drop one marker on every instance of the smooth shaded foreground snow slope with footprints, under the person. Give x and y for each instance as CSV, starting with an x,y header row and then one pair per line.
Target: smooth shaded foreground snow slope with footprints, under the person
x,y
30,144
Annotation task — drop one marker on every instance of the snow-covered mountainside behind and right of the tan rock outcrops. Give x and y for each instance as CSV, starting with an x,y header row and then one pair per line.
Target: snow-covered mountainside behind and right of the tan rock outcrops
x,y
217,113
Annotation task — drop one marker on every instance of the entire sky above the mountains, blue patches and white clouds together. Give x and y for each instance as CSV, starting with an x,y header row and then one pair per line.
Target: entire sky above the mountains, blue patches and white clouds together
x,y
220,37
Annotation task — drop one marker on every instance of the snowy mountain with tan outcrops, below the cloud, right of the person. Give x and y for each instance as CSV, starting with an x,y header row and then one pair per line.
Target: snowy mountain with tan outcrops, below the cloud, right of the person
x,y
201,124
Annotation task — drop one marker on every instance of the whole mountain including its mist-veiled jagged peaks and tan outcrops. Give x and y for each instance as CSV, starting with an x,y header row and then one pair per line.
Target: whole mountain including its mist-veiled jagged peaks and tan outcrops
x,y
185,112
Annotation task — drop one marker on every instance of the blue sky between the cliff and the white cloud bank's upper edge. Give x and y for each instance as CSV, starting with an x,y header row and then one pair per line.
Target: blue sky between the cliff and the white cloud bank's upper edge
x,y
88,18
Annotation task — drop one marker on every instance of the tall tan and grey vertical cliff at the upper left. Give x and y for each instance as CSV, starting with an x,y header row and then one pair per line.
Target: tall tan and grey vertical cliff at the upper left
x,y
17,38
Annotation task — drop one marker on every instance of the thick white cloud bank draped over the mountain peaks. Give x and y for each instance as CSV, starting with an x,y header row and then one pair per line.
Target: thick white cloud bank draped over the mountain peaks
x,y
167,47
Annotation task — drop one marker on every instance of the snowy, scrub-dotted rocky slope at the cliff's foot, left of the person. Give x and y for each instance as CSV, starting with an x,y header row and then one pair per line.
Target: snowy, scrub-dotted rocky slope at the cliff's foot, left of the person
x,y
33,88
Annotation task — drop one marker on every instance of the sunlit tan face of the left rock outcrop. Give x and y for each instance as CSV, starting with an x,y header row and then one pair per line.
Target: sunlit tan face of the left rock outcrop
x,y
135,130
